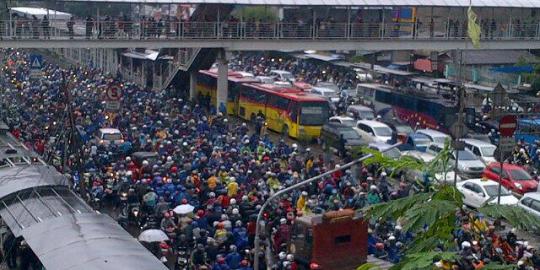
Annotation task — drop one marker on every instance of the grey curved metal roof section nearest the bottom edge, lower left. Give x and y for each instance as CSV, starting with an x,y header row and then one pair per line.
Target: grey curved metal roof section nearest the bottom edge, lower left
x,y
88,242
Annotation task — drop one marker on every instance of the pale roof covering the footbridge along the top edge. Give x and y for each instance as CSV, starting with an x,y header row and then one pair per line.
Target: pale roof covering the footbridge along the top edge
x,y
373,3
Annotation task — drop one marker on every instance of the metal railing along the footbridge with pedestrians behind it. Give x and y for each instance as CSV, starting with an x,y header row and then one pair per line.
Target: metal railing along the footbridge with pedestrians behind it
x,y
147,30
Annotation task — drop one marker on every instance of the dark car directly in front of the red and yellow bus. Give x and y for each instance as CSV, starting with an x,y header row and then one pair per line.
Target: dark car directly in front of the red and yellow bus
x,y
331,134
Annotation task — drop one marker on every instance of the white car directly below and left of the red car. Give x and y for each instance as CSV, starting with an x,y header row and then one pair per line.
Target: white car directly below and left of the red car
x,y
479,192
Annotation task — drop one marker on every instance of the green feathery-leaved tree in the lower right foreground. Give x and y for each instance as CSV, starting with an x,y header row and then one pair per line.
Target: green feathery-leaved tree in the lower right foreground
x,y
431,216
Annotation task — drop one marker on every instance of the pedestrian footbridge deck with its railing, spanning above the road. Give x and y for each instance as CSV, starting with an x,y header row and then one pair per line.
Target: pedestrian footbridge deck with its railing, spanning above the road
x,y
264,36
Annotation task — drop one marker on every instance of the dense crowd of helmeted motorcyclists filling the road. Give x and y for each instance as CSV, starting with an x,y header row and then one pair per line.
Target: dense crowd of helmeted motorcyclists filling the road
x,y
175,153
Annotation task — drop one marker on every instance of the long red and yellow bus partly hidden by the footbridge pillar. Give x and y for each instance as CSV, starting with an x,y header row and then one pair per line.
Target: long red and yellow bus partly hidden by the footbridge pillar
x,y
289,111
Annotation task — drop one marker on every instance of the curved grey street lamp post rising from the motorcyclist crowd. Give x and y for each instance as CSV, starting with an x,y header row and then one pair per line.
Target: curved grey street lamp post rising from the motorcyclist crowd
x,y
295,186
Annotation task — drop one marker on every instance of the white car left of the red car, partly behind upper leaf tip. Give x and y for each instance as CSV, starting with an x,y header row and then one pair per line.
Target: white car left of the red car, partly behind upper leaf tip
x,y
468,165
